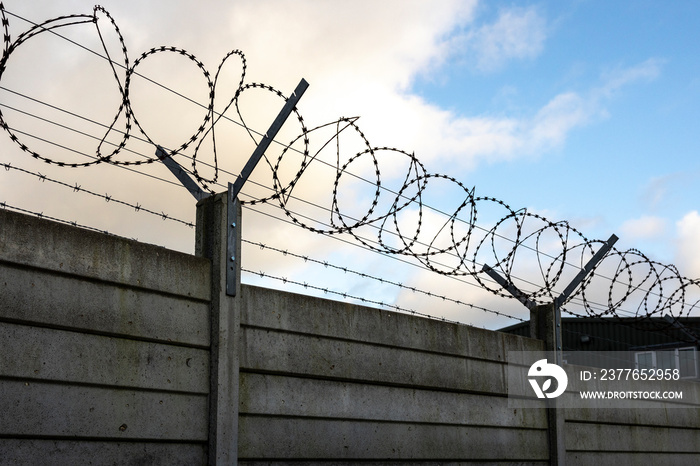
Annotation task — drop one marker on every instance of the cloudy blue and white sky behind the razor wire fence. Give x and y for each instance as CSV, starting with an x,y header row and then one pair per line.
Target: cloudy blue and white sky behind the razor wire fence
x,y
580,111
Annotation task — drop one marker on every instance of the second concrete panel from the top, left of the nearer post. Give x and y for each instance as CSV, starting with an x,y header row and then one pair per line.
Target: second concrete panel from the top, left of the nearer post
x,y
32,296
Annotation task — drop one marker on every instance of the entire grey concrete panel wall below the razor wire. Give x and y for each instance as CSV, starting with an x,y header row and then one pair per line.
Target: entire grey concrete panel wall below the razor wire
x,y
107,356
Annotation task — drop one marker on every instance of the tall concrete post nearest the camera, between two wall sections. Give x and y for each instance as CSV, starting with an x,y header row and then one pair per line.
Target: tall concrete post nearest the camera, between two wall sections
x,y
211,238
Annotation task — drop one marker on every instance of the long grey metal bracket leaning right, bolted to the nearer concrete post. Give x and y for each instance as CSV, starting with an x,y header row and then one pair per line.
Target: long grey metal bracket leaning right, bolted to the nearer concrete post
x,y
235,188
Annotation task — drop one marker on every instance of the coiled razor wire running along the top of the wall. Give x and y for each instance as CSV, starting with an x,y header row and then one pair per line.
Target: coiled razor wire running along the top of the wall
x,y
656,275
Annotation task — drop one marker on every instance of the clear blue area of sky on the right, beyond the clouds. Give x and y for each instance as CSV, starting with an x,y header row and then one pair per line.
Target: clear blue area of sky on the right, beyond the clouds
x,y
633,154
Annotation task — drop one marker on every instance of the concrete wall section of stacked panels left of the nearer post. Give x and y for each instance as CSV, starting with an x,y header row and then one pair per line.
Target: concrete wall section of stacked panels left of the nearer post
x,y
104,348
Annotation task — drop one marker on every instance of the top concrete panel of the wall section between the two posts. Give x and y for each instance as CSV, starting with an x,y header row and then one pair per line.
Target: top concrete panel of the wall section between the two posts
x,y
304,314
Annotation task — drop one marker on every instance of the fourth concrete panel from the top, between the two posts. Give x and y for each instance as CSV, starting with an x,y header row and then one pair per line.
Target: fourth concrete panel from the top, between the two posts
x,y
268,437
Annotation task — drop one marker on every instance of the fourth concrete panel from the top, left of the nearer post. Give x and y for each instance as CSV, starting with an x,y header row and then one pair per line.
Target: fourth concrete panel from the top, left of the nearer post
x,y
57,410
